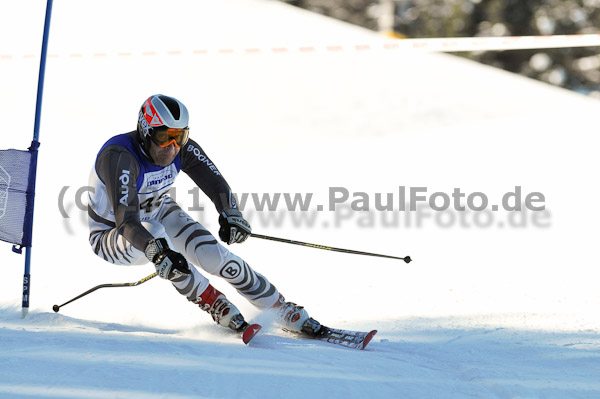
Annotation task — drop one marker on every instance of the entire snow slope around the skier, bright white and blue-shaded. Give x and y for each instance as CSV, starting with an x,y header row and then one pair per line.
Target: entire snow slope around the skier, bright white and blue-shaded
x,y
500,306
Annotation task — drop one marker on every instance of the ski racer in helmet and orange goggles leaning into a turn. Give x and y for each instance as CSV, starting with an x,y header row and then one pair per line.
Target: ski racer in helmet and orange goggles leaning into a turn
x,y
133,219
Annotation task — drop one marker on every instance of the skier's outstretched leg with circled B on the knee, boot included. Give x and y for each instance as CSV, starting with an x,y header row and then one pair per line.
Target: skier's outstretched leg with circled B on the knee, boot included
x,y
199,246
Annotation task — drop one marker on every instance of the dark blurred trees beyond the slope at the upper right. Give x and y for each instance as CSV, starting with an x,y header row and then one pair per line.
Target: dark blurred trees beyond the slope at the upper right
x,y
576,69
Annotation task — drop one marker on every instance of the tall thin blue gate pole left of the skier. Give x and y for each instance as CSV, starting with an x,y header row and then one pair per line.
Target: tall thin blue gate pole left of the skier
x,y
33,165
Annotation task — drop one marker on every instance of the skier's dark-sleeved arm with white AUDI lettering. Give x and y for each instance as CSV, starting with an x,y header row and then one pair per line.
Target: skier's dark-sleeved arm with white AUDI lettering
x,y
118,170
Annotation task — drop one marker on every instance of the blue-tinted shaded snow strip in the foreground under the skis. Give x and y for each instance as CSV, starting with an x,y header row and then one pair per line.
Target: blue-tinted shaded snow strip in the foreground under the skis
x,y
413,359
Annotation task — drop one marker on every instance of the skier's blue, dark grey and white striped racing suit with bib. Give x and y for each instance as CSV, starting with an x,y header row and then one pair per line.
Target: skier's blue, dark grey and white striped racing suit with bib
x,y
130,205
